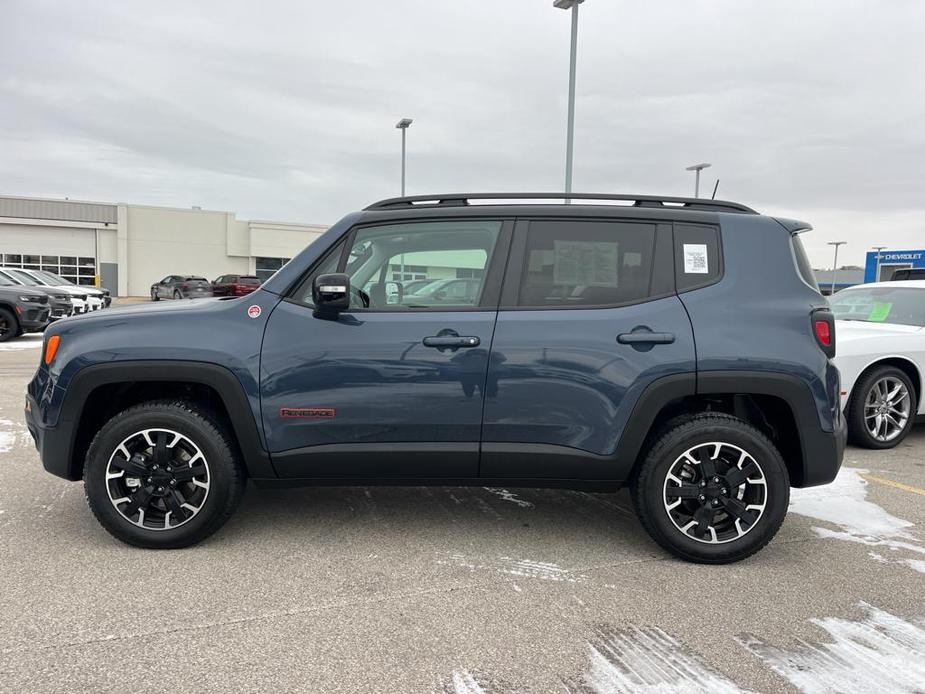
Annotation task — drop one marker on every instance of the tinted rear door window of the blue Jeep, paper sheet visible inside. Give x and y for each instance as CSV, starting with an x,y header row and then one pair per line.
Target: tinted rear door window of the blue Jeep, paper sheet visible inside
x,y
586,263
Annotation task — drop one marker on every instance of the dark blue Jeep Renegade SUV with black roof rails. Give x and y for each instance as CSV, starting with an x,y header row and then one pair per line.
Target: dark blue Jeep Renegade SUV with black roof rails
x,y
677,346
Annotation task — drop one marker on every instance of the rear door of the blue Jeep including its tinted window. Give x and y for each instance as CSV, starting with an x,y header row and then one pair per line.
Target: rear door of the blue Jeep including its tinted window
x,y
589,317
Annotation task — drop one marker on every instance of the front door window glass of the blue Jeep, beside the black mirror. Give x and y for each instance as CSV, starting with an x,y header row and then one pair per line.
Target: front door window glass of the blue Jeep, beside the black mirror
x,y
415,266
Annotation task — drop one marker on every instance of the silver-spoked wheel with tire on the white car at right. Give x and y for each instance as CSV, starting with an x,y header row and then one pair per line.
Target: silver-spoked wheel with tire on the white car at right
x,y
893,428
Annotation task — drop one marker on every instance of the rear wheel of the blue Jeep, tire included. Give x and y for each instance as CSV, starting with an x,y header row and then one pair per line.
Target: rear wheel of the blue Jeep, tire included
x,y
726,538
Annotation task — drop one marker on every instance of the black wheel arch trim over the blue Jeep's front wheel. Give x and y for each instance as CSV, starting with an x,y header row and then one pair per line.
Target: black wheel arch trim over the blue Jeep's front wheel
x,y
99,391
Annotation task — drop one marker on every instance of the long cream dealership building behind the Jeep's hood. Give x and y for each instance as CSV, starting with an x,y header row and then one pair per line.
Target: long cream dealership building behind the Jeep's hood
x,y
130,247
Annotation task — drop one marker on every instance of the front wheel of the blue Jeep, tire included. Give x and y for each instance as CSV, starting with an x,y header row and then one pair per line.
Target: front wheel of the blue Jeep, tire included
x,y
207,508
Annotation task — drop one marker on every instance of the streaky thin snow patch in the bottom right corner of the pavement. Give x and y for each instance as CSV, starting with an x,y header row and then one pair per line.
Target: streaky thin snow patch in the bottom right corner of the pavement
x,y
880,653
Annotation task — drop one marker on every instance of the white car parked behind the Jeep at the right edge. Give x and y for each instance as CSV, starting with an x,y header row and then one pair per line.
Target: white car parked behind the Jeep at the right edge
x,y
880,352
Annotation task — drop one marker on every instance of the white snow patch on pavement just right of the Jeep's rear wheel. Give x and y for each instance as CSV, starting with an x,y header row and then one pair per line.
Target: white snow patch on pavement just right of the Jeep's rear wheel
x,y
844,503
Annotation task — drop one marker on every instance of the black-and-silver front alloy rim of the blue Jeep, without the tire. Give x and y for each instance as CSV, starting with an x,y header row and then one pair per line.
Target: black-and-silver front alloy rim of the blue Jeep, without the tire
x,y
156,476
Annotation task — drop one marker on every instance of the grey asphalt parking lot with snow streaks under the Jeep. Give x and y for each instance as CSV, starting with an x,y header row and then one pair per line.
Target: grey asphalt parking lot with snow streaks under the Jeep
x,y
457,590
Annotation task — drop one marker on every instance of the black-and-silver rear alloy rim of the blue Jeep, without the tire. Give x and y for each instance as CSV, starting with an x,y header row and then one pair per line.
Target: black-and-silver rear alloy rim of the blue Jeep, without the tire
x,y
715,492
